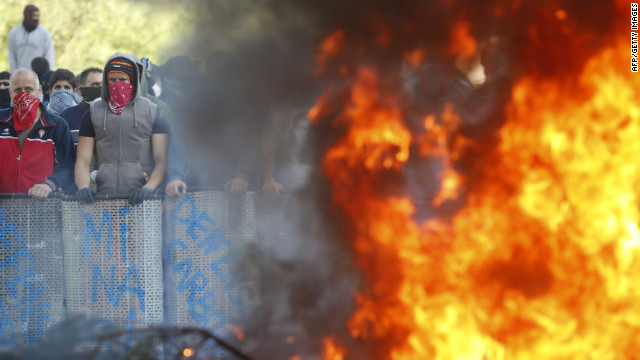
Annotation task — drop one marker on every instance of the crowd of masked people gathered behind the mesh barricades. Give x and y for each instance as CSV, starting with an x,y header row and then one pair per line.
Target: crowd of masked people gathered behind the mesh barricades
x,y
108,130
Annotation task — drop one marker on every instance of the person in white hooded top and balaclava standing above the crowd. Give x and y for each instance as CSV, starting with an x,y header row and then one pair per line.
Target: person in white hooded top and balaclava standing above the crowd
x,y
29,40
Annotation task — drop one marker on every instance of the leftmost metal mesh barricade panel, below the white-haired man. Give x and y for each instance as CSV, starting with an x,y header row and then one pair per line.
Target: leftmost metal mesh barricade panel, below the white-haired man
x,y
31,281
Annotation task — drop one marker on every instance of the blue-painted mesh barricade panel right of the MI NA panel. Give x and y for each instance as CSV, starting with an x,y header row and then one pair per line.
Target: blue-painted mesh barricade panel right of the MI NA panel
x,y
212,277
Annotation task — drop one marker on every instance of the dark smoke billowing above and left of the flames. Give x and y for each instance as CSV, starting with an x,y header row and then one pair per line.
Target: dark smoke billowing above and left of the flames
x,y
263,62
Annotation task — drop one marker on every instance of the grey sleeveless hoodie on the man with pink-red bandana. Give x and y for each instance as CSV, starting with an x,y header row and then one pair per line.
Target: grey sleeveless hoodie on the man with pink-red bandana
x,y
123,153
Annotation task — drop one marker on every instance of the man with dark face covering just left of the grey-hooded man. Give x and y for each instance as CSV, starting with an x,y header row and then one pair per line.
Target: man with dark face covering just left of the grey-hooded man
x,y
90,86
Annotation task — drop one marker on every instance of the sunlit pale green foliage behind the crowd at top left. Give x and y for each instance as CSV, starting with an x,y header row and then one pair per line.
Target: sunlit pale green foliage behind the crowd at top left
x,y
86,32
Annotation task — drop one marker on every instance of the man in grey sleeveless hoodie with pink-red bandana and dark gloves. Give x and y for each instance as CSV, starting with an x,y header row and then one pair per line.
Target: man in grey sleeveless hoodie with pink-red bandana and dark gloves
x,y
129,134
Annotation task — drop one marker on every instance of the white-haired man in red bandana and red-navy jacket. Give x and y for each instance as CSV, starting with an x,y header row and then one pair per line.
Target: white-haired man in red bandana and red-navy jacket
x,y
36,149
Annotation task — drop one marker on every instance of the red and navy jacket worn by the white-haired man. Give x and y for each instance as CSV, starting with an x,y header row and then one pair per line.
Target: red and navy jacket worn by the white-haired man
x,y
47,154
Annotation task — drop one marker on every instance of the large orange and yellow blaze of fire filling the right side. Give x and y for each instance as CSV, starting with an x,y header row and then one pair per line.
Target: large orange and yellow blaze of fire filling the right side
x,y
543,259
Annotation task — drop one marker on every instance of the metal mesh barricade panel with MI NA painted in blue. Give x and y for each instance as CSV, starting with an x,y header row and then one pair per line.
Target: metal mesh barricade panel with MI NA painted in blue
x,y
113,261
